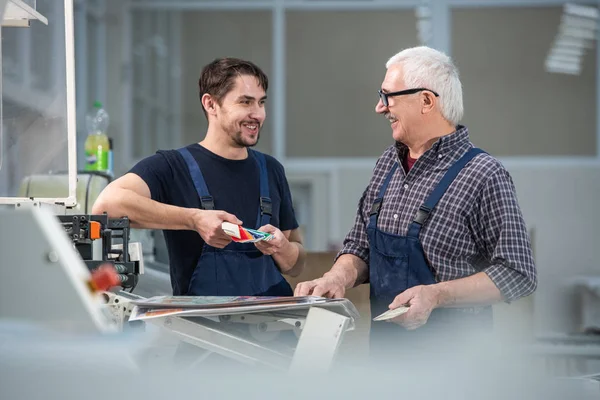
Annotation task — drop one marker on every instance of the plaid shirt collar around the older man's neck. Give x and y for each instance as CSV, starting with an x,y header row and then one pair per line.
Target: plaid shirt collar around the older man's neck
x,y
444,152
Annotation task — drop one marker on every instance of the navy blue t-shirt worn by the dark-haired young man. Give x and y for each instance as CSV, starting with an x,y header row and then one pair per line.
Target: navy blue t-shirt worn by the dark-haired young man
x,y
234,186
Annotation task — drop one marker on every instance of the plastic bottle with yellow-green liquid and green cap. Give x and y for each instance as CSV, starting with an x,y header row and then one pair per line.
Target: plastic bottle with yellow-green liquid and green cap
x,y
97,145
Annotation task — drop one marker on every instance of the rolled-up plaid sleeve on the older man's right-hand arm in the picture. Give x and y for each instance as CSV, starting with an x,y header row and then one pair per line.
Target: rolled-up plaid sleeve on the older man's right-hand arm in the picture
x,y
501,233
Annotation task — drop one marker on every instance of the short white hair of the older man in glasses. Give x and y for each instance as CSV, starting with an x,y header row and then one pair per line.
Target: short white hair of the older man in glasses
x,y
429,68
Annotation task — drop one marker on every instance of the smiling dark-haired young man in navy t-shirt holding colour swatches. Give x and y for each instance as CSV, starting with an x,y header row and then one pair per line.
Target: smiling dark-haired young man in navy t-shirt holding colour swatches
x,y
189,192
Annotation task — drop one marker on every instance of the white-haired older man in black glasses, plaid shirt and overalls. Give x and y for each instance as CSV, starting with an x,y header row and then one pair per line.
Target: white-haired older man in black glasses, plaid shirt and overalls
x,y
438,228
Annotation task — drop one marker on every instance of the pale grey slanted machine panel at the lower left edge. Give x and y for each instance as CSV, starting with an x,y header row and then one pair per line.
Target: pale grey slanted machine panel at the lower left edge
x,y
46,281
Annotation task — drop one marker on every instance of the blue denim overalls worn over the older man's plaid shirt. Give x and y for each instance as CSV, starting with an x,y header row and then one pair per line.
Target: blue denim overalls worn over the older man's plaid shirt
x,y
397,263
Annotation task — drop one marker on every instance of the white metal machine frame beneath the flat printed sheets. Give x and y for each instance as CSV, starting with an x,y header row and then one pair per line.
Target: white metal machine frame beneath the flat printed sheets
x,y
320,333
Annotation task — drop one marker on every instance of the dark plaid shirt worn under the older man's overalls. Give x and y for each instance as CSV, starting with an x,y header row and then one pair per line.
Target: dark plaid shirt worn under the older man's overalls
x,y
476,226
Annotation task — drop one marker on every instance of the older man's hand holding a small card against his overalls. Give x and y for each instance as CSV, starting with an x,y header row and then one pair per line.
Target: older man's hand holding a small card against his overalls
x,y
421,301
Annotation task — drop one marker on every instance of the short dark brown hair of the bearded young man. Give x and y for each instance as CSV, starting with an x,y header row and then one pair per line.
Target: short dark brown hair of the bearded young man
x,y
217,78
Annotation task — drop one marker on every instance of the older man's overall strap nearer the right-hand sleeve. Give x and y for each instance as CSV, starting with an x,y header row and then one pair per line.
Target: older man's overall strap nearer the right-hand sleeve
x,y
423,213
